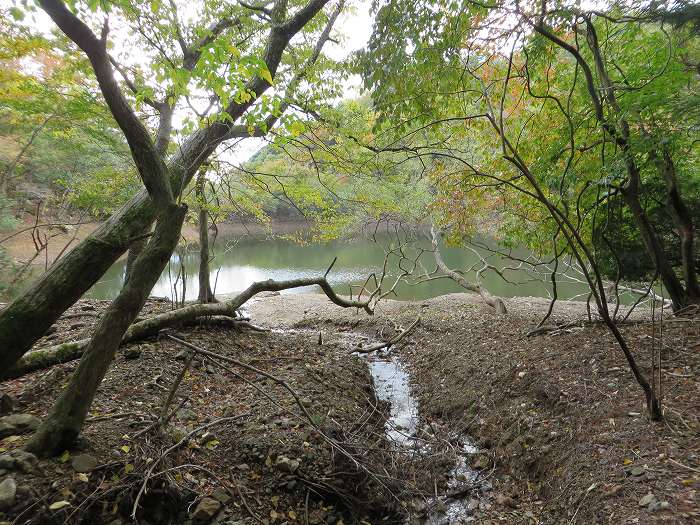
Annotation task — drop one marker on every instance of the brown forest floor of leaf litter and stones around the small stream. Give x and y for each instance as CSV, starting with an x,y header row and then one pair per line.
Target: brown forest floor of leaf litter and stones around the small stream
x,y
557,418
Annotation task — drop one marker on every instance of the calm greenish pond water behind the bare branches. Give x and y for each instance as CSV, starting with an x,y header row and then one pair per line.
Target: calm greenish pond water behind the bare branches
x,y
237,263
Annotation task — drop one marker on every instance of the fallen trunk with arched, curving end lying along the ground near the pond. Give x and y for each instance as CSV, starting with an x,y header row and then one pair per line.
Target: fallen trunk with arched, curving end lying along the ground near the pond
x,y
65,352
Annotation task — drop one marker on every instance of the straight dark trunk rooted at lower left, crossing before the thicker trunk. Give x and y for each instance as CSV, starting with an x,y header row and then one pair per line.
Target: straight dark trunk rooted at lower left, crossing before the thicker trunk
x,y
61,427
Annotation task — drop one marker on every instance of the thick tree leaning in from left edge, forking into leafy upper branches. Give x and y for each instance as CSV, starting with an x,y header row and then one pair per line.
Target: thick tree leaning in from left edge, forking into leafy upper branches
x,y
236,110
